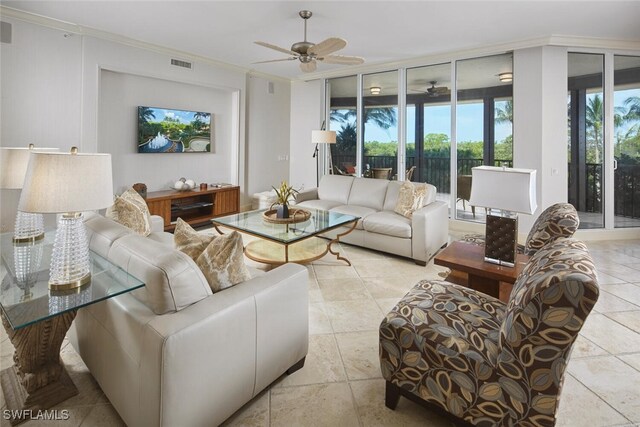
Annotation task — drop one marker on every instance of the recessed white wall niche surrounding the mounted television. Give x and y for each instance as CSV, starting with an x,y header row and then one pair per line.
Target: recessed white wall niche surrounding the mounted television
x,y
121,94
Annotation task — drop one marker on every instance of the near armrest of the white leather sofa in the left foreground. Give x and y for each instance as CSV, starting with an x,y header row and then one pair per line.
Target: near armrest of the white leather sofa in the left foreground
x,y
221,351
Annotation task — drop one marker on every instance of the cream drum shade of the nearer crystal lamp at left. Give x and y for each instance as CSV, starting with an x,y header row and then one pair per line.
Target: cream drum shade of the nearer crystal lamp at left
x,y
67,182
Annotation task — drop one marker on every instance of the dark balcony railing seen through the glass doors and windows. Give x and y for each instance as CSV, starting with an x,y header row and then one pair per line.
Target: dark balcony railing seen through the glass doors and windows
x,y
436,171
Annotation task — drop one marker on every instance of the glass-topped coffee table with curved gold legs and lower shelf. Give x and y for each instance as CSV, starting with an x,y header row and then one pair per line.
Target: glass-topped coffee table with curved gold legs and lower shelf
x,y
295,242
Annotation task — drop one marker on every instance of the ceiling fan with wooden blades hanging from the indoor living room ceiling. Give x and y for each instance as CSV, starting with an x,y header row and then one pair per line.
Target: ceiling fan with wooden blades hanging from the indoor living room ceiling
x,y
309,53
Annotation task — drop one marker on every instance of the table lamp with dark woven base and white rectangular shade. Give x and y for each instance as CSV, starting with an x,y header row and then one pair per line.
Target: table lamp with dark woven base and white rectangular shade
x,y
510,191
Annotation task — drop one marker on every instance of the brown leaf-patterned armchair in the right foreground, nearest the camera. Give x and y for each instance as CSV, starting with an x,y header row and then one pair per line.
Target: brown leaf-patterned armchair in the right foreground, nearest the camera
x,y
484,361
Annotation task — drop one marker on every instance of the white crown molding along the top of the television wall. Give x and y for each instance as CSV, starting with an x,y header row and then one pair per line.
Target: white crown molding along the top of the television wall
x,y
68,27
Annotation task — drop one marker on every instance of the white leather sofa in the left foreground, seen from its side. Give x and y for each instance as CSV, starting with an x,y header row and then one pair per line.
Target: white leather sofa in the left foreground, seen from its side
x,y
173,353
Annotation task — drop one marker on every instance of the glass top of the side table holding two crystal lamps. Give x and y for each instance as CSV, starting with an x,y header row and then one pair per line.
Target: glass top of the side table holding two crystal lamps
x,y
25,297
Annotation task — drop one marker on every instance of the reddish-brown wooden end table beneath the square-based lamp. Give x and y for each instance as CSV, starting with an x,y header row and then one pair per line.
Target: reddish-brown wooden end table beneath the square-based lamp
x,y
482,276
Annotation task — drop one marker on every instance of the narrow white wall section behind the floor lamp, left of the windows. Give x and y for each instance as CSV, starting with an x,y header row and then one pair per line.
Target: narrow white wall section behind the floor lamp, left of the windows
x,y
306,115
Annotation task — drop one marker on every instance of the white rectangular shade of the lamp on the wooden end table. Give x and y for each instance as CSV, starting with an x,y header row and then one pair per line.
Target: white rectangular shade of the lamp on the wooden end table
x,y
507,189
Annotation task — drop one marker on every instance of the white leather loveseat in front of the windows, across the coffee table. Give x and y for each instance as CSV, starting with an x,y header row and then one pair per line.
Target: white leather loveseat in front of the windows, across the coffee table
x,y
380,228
